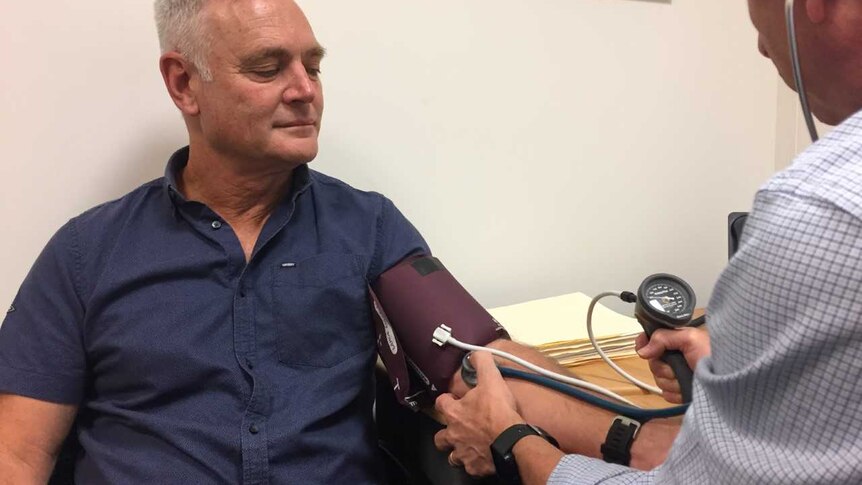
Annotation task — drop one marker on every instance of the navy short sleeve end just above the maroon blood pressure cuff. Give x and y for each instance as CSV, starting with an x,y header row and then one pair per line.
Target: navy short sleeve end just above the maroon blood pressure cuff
x,y
396,239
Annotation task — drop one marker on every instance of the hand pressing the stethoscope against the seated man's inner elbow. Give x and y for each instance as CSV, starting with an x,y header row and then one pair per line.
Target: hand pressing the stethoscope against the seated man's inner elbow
x,y
477,419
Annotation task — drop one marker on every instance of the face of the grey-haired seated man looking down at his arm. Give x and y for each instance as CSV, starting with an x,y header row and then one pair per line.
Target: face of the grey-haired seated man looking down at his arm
x,y
265,101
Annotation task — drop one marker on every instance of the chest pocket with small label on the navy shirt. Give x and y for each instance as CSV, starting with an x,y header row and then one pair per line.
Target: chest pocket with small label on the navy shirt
x,y
322,312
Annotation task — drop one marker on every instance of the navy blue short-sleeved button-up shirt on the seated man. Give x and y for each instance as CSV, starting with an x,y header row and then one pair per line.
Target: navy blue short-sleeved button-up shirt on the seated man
x,y
190,365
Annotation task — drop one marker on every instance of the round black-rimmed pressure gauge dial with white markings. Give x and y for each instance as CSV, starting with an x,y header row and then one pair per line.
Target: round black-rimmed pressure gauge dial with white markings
x,y
665,300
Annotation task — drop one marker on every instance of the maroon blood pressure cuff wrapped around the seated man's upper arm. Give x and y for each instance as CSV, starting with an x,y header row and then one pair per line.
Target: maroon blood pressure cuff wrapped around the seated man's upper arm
x,y
409,301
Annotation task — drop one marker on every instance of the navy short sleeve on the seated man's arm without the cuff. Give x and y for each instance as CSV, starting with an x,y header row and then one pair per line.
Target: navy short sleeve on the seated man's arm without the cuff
x,y
41,347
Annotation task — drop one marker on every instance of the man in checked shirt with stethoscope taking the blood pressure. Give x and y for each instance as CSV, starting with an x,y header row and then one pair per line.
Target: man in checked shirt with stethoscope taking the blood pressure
x,y
778,399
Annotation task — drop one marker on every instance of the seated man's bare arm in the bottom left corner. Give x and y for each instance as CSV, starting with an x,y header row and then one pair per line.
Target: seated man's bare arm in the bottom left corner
x,y
31,433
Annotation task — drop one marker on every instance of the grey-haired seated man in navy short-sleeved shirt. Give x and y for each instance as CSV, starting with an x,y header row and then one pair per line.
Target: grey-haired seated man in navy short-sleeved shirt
x,y
211,326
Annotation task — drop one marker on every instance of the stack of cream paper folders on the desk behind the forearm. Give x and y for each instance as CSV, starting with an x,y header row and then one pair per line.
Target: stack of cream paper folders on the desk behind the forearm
x,y
558,327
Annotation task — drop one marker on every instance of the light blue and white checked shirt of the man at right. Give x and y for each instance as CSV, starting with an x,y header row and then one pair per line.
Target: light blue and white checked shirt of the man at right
x,y
779,400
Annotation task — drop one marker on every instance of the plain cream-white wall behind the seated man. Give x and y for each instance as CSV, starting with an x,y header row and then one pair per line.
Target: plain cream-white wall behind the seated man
x,y
541,146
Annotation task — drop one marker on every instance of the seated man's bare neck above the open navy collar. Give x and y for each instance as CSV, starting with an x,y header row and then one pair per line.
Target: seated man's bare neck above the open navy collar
x,y
243,195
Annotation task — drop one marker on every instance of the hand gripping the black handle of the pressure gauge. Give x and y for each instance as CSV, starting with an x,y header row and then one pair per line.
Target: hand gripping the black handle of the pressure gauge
x,y
693,342
